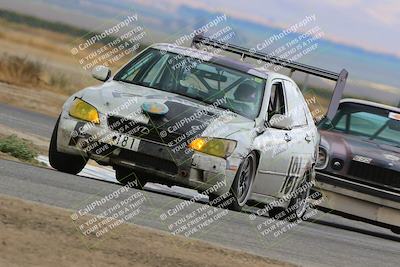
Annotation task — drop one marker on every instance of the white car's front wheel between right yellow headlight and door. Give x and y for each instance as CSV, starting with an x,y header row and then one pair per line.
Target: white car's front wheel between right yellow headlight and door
x,y
240,189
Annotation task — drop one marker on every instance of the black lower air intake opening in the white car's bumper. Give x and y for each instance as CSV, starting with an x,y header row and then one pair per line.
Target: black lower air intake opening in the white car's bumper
x,y
149,161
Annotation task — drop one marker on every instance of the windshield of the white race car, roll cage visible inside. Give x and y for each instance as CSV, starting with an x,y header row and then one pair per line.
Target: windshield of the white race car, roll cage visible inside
x,y
197,79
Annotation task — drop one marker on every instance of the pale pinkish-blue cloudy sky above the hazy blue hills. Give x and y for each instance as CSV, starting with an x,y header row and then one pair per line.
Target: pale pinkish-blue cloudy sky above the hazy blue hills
x,y
370,24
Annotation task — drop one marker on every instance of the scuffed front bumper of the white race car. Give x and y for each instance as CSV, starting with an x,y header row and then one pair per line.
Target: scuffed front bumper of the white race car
x,y
157,161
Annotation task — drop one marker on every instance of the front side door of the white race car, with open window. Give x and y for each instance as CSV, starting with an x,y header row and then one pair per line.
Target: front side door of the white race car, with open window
x,y
275,147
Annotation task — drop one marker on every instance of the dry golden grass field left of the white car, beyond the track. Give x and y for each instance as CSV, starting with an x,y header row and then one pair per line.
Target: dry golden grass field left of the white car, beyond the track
x,y
37,70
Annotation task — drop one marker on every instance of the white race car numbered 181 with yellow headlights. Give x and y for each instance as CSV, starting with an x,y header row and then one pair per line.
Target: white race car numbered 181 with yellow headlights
x,y
182,116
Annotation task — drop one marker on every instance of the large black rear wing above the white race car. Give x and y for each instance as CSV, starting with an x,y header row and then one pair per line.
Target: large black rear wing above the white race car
x,y
339,78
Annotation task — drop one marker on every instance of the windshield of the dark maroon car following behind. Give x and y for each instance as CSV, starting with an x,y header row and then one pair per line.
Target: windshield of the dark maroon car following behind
x,y
375,124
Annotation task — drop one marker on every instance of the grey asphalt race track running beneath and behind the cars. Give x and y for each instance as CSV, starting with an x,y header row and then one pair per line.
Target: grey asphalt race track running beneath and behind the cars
x,y
329,241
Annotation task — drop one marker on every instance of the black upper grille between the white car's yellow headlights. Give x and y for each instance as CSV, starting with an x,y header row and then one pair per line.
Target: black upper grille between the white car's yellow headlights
x,y
141,130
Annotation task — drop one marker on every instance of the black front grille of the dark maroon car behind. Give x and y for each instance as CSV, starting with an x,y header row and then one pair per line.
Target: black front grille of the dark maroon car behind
x,y
374,174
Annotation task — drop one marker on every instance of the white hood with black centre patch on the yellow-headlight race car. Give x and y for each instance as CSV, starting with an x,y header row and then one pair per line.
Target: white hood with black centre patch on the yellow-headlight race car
x,y
124,99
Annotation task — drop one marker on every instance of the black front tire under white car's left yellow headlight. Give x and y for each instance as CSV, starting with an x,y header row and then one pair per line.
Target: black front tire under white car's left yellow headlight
x,y
61,161
